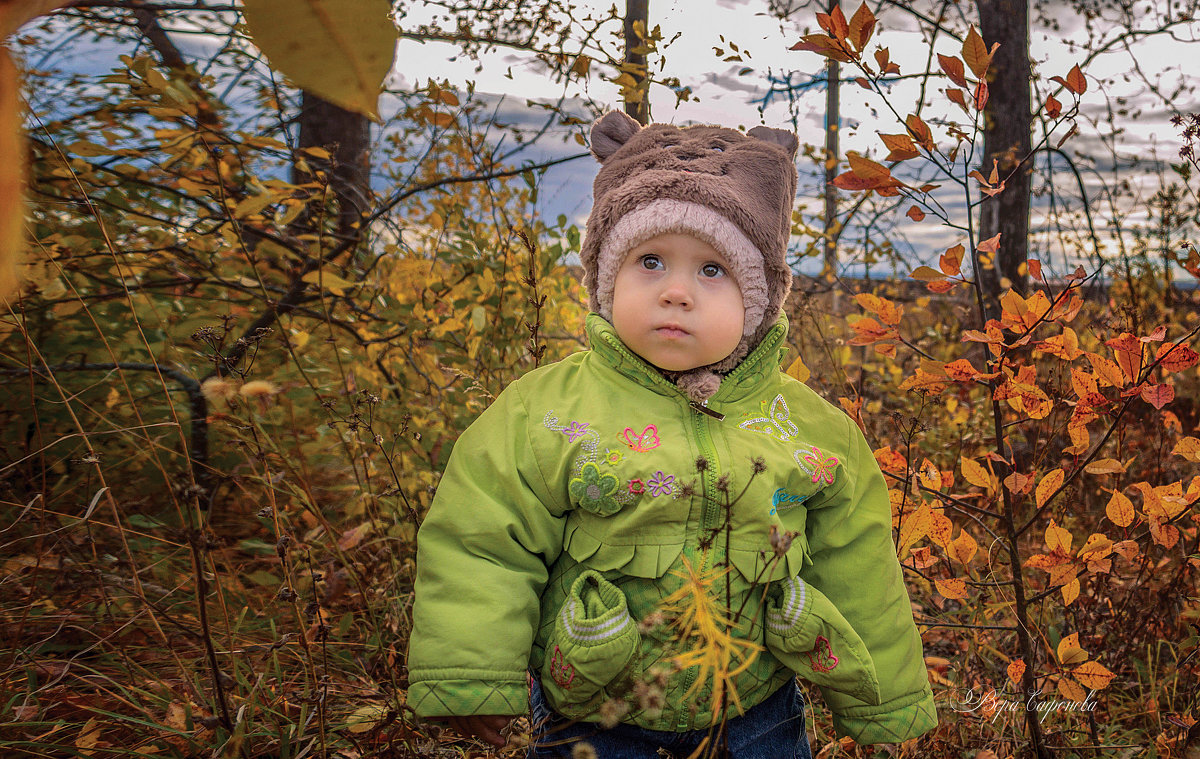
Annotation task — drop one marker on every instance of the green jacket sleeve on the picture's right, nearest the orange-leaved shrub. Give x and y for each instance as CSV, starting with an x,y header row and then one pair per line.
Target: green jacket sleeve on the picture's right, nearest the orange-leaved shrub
x,y
855,564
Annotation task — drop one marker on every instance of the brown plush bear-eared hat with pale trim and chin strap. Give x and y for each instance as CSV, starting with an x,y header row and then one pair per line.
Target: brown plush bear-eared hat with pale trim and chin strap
x,y
731,190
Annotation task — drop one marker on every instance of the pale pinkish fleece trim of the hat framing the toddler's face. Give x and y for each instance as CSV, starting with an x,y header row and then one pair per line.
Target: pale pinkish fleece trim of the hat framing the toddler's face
x,y
700,222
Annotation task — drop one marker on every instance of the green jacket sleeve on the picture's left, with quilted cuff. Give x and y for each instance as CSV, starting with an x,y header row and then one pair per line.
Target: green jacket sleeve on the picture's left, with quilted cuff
x,y
482,565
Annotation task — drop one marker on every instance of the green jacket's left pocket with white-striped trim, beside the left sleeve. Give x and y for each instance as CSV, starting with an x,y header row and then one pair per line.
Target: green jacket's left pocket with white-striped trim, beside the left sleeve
x,y
593,643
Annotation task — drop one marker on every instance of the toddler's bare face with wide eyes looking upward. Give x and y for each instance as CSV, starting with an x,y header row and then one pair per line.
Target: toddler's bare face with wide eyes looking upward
x,y
676,304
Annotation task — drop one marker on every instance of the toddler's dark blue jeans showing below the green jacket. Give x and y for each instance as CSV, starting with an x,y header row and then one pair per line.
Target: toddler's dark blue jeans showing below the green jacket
x,y
773,730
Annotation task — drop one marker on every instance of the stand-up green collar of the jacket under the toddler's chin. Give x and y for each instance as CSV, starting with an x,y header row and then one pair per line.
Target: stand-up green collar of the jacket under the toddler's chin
x,y
761,364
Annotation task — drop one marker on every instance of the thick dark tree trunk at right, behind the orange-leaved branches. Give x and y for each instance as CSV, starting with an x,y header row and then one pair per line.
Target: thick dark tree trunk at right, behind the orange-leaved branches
x,y
1006,139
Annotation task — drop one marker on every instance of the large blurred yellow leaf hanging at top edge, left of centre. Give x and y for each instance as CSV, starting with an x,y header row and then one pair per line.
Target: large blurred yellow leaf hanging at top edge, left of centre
x,y
356,41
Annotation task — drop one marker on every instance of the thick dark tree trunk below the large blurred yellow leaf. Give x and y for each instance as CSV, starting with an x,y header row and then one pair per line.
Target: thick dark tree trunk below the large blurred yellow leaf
x,y
347,138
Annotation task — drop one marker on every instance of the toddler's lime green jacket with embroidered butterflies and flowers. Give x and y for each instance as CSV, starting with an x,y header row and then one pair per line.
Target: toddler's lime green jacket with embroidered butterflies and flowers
x,y
567,515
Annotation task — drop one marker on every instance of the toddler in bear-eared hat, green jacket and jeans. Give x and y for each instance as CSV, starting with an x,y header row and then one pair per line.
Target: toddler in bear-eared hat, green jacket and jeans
x,y
579,501
